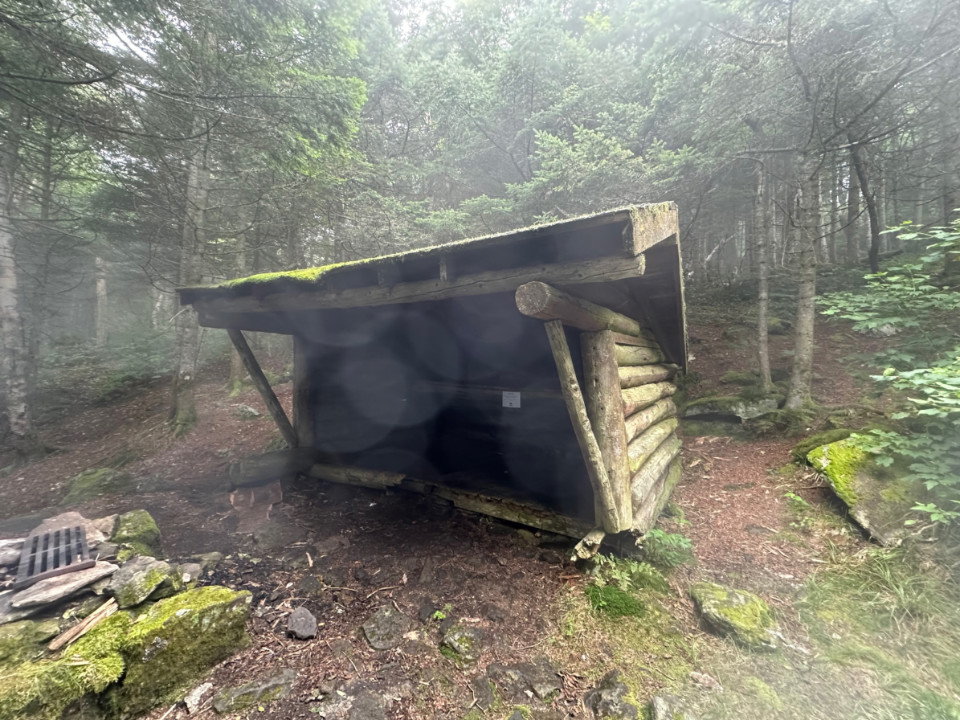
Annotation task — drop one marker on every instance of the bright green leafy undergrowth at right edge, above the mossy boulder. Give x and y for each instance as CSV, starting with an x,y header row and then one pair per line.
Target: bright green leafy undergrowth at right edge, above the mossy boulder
x,y
920,301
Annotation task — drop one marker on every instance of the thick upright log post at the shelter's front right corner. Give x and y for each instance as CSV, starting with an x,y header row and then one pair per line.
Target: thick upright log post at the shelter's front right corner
x,y
605,409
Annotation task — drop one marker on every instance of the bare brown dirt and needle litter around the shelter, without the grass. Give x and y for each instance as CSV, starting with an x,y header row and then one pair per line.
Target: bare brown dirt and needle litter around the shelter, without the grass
x,y
344,552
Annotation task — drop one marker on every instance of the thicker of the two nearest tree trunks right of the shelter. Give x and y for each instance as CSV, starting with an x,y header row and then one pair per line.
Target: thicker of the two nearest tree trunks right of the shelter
x,y
807,223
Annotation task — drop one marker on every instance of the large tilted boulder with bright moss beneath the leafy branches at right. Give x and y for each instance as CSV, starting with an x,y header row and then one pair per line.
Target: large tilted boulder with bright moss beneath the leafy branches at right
x,y
879,499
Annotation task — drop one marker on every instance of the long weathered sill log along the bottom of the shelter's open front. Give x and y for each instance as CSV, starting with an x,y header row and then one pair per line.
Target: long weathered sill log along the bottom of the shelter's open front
x,y
503,508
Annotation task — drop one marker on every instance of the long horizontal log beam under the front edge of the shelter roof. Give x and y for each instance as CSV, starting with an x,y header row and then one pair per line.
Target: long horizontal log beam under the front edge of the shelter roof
x,y
585,271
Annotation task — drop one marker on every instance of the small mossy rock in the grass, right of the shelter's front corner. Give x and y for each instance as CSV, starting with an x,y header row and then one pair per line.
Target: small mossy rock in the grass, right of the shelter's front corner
x,y
737,614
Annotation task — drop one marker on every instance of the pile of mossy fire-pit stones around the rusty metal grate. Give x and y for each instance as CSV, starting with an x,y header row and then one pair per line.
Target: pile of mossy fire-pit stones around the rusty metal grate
x,y
155,633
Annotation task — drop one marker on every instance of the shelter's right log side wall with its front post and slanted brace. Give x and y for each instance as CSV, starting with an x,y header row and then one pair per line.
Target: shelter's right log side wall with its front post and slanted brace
x,y
624,418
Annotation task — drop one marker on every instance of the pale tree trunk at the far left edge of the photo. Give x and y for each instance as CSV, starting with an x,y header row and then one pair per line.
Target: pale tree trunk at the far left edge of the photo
x,y
12,338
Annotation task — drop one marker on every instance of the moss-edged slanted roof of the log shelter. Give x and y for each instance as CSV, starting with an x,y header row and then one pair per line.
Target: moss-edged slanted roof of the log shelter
x,y
626,258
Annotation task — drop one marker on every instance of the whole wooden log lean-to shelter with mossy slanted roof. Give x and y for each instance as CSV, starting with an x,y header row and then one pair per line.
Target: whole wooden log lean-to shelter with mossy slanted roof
x,y
525,375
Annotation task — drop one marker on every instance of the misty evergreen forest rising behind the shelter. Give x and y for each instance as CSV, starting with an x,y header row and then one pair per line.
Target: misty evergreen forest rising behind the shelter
x,y
154,144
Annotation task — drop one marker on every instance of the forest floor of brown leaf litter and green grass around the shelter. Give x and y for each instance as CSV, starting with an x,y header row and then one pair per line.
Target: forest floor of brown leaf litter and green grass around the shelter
x,y
868,633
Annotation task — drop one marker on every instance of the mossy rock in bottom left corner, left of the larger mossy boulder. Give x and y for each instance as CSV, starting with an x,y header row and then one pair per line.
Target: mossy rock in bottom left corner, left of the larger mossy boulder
x,y
44,689
